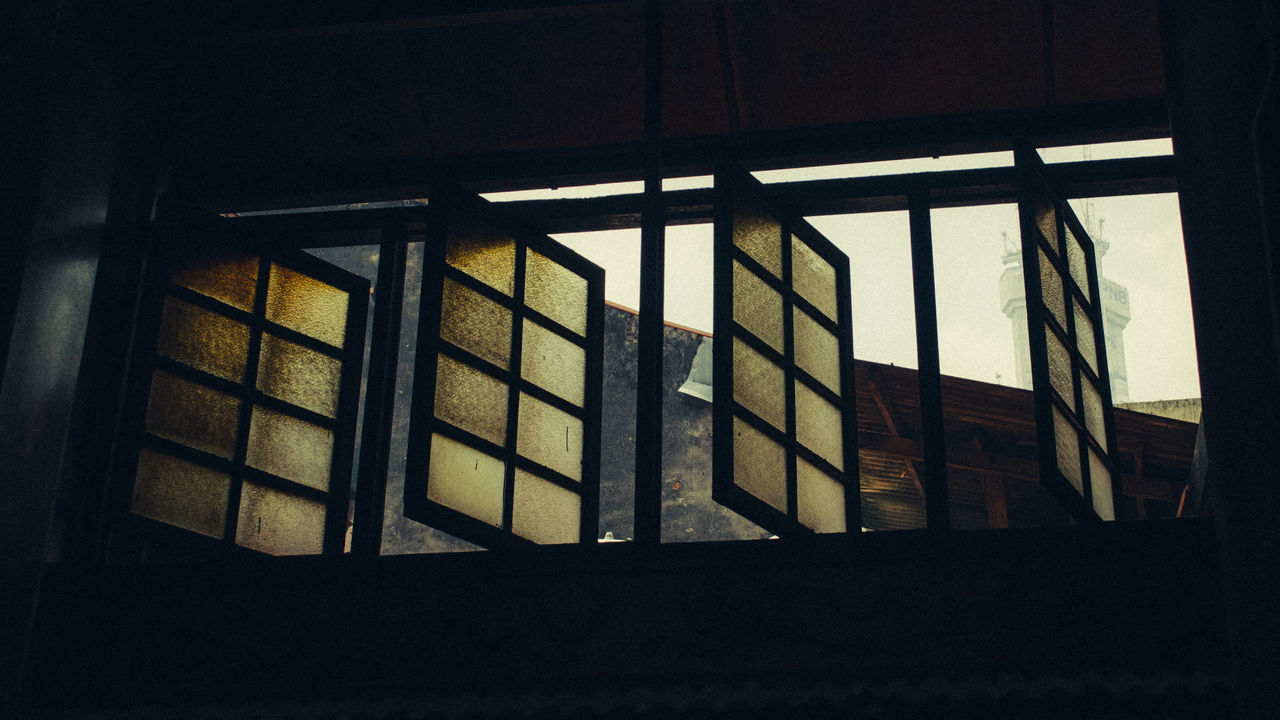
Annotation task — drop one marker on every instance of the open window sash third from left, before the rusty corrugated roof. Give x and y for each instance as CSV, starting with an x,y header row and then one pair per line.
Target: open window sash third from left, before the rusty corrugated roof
x,y
785,423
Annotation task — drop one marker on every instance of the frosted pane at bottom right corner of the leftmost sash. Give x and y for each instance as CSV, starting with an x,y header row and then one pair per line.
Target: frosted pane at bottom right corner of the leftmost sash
x,y
280,523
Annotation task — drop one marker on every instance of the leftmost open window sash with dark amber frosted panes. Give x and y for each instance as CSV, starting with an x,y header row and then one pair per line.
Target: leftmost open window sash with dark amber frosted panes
x,y
248,384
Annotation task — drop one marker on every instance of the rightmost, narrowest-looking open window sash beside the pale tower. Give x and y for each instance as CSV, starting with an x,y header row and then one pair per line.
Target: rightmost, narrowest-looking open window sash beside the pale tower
x,y
1069,366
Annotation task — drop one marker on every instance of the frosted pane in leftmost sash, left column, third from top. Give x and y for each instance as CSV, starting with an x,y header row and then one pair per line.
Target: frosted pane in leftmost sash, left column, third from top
x,y
193,414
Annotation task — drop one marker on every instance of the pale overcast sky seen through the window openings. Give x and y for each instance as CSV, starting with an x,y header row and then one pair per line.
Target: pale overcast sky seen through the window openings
x,y
975,338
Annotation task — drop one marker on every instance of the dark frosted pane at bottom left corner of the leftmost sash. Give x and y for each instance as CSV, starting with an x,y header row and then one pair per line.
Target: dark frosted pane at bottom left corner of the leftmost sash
x,y
181,494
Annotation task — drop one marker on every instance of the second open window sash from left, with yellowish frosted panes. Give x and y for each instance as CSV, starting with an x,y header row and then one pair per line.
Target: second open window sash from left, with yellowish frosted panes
x,y
505,436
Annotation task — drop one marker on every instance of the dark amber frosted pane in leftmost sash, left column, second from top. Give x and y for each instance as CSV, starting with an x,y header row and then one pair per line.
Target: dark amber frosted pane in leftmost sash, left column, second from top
x,y
203,340
